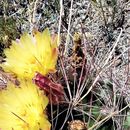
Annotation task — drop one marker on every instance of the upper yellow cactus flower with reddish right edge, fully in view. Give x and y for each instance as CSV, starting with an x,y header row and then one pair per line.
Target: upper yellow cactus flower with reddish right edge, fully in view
x,y
30,54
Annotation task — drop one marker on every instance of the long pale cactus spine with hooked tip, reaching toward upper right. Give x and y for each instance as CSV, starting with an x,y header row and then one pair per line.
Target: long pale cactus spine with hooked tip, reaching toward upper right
x,y
109,56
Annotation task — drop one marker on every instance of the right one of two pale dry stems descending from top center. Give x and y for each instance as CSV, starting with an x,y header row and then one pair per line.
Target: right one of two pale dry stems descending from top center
x,y
68,37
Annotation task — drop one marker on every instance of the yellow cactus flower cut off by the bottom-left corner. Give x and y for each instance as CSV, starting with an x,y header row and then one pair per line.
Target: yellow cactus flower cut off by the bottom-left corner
x,y
23,108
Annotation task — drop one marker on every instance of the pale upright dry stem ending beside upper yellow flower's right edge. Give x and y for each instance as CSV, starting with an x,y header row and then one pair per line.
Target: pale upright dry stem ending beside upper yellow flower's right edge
x,y
59,27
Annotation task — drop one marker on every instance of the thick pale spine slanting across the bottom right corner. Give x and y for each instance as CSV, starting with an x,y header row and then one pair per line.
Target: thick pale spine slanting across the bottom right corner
x,y
108,117
